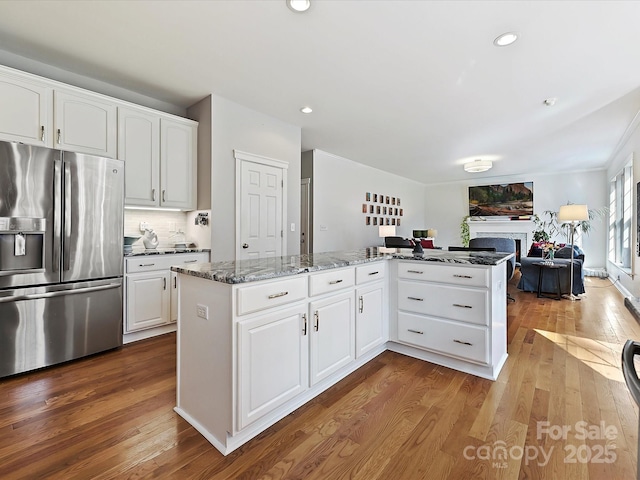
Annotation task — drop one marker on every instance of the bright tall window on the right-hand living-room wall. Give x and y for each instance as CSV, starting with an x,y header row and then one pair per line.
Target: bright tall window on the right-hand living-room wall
x,y
620,213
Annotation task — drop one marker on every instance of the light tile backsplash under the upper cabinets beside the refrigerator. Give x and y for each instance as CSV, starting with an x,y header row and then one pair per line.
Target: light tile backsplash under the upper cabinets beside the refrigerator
x,y
166,224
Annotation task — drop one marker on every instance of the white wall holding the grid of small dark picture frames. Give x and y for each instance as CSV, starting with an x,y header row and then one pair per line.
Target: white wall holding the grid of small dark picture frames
x,y
339,188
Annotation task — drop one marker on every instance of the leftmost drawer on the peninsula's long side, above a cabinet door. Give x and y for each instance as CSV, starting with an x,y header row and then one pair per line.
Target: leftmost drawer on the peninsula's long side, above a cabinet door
x,y
258,297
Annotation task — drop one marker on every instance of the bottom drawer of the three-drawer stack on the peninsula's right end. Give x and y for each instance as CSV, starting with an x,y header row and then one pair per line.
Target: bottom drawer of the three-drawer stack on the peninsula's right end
x,y
449,338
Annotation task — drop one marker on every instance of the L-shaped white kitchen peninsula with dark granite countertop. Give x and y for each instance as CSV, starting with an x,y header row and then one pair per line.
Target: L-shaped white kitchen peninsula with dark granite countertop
x,y
258,339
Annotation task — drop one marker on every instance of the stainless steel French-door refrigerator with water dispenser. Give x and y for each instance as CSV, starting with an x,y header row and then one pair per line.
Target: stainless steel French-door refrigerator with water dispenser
x,y
61,260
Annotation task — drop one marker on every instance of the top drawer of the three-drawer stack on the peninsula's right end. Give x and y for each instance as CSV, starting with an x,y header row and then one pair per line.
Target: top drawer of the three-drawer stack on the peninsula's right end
x,y
458,275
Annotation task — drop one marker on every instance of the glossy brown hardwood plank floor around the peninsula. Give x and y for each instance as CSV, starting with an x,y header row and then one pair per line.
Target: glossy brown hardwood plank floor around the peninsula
x,y
110,416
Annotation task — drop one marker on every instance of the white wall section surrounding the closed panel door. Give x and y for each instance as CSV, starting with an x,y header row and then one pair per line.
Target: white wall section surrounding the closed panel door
x,y
235,127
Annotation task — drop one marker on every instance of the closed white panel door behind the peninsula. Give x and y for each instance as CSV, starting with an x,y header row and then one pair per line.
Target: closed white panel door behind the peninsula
x,y
260,211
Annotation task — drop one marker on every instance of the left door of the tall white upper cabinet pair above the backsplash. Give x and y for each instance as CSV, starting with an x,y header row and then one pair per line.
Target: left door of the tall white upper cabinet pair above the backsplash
x,y
139,147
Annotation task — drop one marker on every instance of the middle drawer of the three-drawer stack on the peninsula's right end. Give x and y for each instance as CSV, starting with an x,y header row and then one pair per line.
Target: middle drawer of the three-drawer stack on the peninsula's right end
x,y
457,303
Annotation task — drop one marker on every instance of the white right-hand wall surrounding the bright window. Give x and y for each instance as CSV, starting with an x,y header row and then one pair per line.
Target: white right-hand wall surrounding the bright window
x,y
630,145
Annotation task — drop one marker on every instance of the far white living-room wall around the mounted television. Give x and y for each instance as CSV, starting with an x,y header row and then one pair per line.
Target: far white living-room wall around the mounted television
x,y
447,204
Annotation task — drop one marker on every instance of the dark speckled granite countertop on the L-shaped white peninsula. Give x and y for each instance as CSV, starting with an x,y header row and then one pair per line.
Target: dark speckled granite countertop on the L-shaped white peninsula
x,y
245,271
